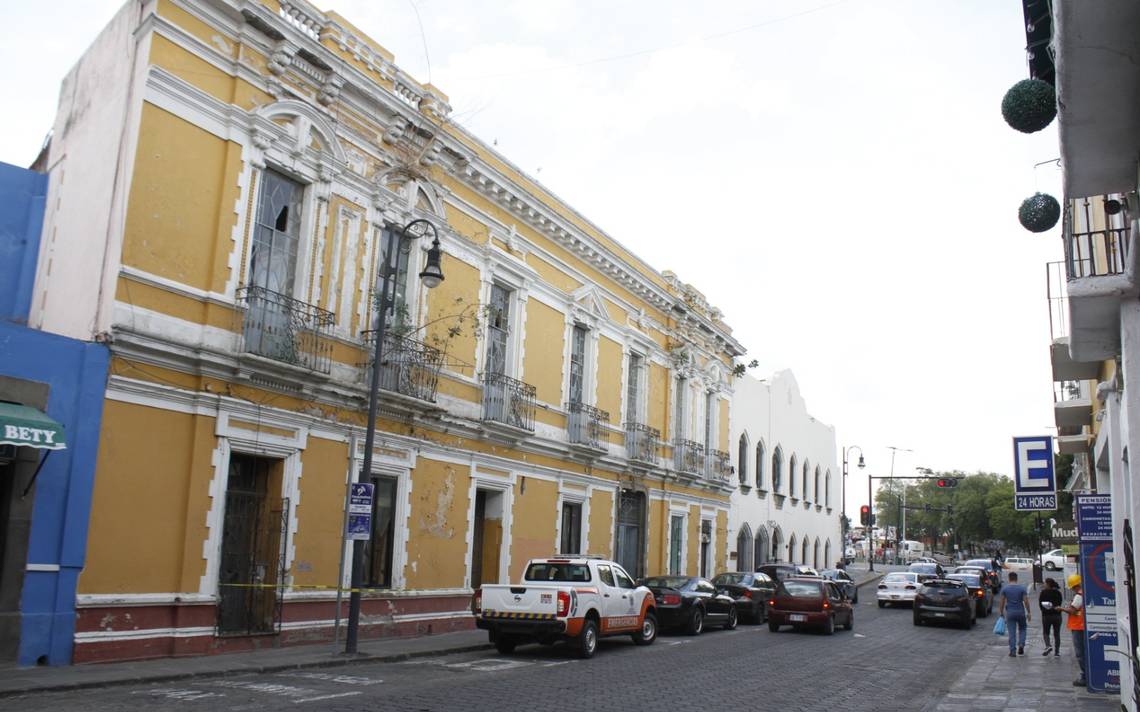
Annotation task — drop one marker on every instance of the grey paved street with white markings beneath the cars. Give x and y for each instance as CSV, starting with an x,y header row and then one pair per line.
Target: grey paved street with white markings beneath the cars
x,y
886,664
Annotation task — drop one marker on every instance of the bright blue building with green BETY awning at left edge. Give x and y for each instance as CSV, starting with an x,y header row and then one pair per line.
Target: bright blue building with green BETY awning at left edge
x,y
52,391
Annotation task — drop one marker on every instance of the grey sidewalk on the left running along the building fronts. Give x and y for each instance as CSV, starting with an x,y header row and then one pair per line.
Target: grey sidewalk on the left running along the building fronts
x,y
27,681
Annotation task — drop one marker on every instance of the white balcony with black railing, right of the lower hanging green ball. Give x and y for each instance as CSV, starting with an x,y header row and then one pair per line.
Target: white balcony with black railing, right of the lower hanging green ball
x,y
1101,274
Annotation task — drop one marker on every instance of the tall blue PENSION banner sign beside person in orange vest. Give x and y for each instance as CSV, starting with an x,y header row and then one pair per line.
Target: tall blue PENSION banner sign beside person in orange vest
x,y
1095,538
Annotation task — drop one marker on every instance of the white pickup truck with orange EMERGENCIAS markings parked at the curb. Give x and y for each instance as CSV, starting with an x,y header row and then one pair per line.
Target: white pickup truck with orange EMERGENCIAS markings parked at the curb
x,y
574,599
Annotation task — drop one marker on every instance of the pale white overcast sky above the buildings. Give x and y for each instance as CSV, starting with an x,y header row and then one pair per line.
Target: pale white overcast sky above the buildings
x,y
836,177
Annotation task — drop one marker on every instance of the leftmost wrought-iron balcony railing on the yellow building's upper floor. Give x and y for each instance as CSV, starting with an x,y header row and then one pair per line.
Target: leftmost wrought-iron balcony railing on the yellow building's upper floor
x,y
286,330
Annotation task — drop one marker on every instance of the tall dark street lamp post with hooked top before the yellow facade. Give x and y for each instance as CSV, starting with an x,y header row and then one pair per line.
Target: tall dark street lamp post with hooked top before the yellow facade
x,y
431,276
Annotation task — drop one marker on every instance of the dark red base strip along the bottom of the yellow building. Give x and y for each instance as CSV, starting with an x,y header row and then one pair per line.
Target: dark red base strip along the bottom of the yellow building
x,y
129,632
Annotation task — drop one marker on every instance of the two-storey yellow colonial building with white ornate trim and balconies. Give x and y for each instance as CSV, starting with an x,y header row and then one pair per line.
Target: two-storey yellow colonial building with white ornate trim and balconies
x,y
225,176
